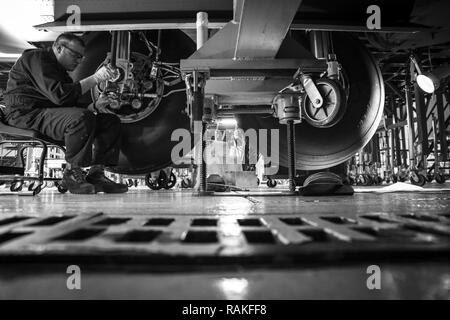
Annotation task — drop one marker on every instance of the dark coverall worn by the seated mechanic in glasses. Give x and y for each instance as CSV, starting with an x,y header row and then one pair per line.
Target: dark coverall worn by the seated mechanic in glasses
x,y
40,95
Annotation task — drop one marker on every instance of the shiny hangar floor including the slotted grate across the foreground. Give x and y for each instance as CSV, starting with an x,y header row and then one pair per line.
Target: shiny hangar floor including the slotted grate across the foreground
x,y
174,245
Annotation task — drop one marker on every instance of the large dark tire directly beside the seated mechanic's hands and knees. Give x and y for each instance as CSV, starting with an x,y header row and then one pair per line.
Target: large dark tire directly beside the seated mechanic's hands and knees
x,y
146,144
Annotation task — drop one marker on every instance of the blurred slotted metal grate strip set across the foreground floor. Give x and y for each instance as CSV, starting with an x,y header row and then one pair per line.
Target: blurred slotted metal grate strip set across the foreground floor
x,y
237,236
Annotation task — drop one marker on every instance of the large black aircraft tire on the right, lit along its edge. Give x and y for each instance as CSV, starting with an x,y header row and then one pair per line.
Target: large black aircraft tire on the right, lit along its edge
x,y
319,148
